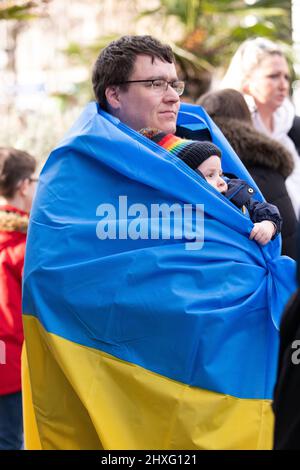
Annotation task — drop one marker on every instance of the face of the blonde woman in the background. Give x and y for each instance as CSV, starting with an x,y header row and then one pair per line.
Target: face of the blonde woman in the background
x,y
269,82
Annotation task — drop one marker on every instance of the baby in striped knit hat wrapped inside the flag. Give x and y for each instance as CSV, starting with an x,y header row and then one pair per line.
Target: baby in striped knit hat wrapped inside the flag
x,y
205,158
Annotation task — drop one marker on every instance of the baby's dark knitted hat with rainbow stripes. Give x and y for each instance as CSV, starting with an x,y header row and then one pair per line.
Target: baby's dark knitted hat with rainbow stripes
x,y
192,152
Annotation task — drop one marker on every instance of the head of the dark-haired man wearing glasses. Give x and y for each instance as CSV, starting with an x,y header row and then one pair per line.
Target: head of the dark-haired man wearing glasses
x,y
135,79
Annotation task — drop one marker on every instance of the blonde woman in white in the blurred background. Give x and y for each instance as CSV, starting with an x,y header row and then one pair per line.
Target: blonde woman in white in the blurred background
x,y
260,71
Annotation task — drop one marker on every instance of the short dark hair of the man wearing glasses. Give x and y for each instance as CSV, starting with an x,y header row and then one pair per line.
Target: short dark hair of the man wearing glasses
x,y
116,62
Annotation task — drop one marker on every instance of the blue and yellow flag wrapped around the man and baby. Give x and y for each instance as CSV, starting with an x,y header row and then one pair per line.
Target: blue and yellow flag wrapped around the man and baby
x,y
147,342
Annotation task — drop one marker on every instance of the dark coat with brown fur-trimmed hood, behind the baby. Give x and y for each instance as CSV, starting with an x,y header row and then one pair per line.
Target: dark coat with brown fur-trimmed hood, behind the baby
x,y
269,164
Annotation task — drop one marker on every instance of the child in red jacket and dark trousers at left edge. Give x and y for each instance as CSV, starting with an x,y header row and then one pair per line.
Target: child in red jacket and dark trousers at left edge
x,y
17,187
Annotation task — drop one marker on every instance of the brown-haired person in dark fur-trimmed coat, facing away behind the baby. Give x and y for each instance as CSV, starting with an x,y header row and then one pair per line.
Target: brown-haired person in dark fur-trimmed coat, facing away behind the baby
x,y
268,162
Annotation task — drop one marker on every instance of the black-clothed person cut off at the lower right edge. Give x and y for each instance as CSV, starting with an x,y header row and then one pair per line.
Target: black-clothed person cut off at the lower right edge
x,y
286,393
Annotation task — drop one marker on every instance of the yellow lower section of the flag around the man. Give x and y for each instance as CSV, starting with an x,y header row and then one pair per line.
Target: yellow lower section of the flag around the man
x,y
86,399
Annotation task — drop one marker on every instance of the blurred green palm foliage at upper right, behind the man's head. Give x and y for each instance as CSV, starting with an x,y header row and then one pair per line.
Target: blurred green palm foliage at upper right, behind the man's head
x,y
214,29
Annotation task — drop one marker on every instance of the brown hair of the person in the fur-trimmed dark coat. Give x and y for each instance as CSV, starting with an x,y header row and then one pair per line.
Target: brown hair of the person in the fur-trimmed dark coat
x,y
227,103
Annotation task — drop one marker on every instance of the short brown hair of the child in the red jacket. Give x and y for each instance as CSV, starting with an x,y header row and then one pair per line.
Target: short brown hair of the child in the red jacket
x,y
15,166
